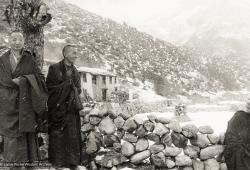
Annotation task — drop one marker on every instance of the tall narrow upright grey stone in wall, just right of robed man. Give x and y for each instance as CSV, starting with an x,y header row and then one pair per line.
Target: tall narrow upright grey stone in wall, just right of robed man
x,y
92,143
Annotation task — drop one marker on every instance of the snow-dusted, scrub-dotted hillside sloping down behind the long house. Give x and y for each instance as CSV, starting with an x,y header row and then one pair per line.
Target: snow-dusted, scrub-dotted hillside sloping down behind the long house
x,y
105,43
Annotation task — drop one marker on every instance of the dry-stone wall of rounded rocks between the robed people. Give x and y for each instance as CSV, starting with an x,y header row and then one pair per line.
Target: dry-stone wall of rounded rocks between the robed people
x,y
113,137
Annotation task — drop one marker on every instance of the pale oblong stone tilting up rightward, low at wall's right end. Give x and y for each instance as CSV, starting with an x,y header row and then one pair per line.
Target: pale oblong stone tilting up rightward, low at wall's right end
x,y
211,152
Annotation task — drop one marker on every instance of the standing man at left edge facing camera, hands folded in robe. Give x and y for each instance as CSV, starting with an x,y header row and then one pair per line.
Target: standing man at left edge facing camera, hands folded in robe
x,y
23,98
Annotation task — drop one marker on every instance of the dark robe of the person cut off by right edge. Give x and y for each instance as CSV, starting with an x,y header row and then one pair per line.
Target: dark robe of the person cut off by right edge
x,y
237,141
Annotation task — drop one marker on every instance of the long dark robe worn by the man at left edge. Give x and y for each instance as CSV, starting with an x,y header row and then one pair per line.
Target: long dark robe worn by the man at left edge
x,y
20,142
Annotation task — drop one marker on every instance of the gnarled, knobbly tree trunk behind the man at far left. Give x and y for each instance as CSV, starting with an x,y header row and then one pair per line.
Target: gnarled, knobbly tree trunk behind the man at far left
x,y
25,16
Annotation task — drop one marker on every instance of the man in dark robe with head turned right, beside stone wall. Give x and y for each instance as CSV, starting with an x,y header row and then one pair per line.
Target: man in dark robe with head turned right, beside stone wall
x,y
63,82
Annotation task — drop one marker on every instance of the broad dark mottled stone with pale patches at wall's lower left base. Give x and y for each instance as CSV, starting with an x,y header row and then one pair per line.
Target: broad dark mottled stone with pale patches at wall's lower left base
x,y
109,159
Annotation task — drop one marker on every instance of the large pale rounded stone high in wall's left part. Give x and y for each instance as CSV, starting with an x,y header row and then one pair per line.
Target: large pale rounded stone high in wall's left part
x,y
107,126
